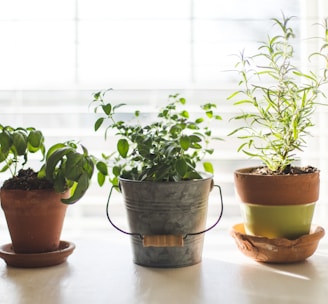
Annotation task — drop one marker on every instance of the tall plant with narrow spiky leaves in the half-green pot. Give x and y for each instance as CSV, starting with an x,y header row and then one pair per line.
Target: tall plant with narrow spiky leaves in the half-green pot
x,y
277,98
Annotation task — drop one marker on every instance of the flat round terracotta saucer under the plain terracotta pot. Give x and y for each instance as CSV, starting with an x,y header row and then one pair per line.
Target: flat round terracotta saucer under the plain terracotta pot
x,y
33,260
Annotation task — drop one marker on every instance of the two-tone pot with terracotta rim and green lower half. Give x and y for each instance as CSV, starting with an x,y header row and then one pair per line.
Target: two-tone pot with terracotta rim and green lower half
x,y
277,206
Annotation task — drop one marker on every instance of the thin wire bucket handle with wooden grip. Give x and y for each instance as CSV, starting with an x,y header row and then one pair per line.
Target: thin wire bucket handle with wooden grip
x,y
163,240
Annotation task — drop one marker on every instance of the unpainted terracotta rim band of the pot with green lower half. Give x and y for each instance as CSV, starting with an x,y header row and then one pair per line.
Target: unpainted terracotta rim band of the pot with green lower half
x,y
277,189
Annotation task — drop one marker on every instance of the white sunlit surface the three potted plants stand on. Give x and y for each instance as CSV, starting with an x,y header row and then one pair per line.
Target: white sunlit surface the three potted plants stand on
x,y
101,270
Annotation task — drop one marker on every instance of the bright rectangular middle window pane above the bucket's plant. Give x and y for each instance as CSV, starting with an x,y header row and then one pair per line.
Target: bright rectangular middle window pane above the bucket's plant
x,y
141,51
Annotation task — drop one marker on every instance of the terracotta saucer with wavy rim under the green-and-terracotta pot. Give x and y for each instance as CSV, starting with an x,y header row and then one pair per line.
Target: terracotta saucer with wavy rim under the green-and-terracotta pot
x,y
278,250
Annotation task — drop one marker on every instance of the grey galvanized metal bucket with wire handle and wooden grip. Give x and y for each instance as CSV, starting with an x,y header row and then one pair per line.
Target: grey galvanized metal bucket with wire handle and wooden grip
x,y
167,220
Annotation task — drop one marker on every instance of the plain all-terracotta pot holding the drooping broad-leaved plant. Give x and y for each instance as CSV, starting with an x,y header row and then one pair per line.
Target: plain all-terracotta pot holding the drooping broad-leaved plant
x,y
34,218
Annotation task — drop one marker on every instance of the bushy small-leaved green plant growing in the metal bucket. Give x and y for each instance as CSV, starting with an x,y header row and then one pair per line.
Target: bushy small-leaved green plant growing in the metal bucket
x,y
167,149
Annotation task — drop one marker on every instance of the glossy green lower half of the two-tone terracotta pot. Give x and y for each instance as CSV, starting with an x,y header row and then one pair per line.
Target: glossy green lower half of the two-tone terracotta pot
x,y
289,221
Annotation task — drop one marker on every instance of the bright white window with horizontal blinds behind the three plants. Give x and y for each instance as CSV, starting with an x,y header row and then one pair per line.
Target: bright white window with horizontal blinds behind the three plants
x,y
55,56
